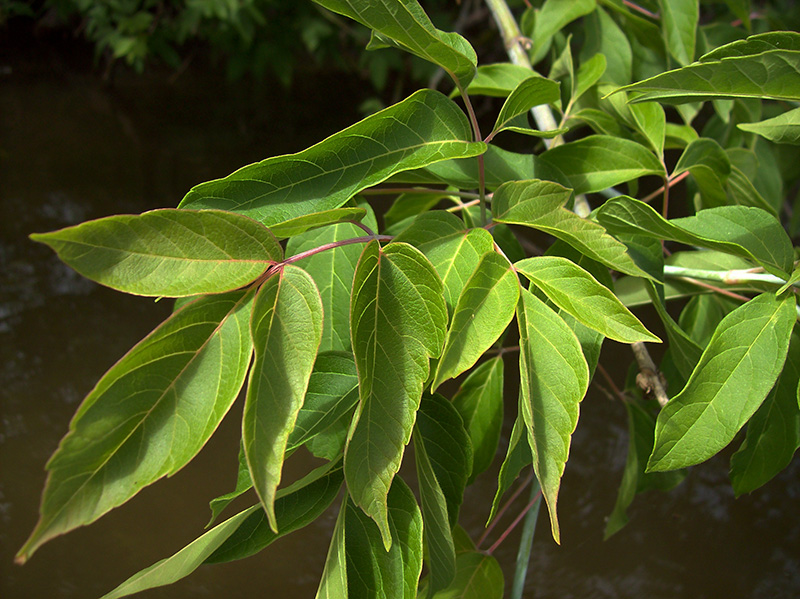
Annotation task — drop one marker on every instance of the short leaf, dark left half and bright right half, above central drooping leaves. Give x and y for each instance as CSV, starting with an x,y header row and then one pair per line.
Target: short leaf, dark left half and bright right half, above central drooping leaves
x,y
453,250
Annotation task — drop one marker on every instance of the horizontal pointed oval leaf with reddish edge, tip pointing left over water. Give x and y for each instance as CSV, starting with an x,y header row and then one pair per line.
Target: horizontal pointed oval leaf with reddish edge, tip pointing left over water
x,y
167,253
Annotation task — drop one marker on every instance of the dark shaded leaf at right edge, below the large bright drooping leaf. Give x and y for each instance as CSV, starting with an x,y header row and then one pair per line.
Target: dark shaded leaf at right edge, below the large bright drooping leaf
x,y
773,433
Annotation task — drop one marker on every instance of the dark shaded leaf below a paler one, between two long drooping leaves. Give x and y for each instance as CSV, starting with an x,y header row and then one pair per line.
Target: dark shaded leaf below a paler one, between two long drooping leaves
x,y
330,400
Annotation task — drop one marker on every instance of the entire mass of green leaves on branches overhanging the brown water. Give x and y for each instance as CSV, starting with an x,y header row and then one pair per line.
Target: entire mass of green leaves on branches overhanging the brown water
x,y
346,334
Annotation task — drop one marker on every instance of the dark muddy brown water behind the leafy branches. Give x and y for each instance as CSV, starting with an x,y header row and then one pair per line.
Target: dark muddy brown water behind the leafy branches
x,y
72,148
